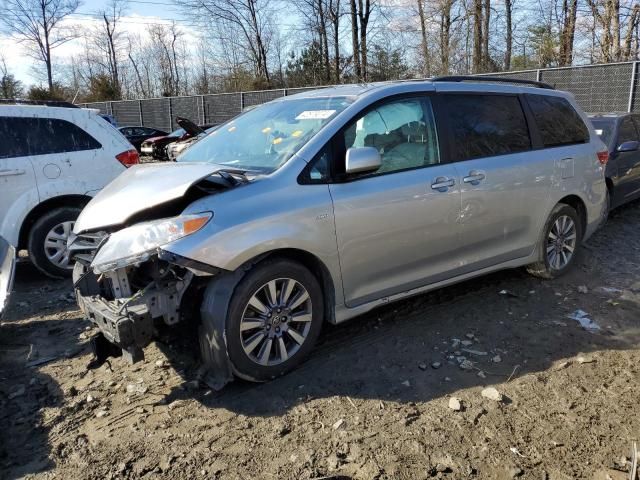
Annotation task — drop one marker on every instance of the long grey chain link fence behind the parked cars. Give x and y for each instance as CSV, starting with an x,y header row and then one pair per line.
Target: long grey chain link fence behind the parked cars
x,y
597,88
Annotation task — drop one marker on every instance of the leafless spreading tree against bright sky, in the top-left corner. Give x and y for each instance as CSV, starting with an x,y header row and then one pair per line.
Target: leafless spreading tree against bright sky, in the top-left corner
x,y
38,24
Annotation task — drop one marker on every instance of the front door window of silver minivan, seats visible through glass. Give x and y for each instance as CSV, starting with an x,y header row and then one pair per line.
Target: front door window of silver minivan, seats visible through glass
x,y
403,131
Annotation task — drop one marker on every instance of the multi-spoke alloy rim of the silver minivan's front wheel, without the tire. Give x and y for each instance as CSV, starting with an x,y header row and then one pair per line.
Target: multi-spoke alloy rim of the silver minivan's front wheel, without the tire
x,y
276,321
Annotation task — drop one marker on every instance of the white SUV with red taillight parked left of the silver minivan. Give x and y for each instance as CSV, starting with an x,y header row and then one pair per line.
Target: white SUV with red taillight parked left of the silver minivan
x,y
53,158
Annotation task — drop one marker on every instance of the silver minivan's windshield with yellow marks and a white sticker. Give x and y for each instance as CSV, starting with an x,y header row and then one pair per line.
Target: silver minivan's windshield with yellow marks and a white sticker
x,y
265,137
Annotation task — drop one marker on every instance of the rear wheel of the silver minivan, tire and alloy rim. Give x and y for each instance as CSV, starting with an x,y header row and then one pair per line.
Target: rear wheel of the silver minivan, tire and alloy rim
x,y
559,243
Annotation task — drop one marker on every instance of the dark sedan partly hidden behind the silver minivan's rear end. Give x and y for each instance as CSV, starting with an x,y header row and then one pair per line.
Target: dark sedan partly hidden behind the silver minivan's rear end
x,y
621,133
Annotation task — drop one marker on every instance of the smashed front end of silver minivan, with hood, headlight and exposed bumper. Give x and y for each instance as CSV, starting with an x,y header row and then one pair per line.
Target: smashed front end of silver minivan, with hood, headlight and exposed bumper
x,y
128,282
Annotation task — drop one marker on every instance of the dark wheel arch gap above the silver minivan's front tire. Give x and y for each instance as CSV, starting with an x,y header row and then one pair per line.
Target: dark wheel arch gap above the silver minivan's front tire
x,y
315,266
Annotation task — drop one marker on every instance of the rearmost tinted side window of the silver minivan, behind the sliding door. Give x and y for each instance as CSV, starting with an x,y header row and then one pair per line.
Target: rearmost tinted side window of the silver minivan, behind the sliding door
x,y
558,122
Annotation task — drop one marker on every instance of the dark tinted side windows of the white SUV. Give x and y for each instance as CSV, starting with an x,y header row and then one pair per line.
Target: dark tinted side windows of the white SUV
x,y
42,136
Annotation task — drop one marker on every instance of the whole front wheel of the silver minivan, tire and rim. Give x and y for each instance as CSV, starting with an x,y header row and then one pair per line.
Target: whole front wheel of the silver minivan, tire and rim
x,y
274,319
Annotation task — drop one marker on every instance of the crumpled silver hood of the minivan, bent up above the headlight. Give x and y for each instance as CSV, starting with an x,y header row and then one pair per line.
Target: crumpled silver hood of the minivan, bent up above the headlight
x,y
139,188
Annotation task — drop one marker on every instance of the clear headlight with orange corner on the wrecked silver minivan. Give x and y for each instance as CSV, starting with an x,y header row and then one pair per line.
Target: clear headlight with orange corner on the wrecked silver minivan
x,y
137,243
